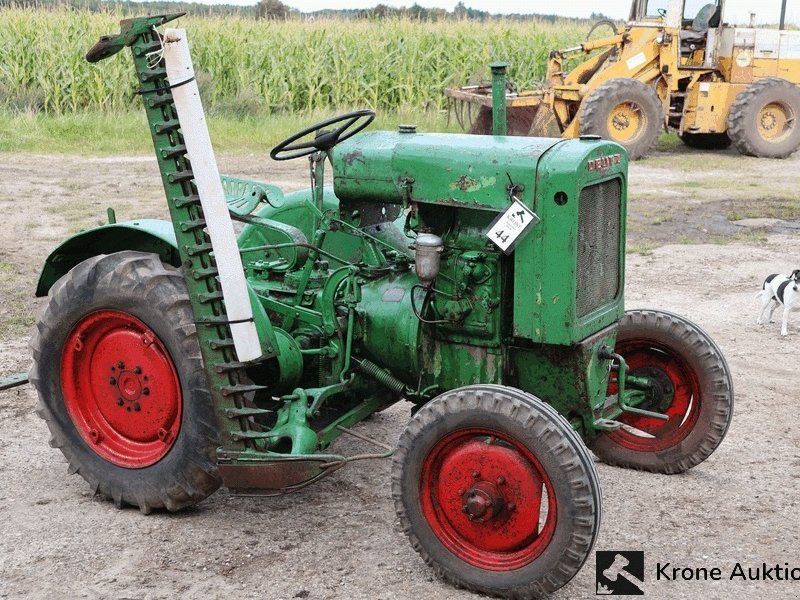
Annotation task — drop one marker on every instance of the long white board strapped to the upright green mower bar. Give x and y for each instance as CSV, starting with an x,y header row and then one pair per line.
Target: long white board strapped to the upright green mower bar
x,y
180,74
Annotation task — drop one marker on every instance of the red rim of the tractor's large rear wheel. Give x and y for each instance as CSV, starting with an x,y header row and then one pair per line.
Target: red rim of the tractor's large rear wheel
x,y
121,389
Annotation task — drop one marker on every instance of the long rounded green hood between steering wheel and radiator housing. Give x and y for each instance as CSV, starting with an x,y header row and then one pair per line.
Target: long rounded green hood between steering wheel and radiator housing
x,y
469,171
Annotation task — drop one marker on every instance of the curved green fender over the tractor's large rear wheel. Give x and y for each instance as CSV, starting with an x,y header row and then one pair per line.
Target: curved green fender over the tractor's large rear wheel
x,y
144,235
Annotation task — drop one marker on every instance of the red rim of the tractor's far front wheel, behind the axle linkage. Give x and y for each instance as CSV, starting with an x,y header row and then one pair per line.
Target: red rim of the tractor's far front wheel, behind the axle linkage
x,y
684,409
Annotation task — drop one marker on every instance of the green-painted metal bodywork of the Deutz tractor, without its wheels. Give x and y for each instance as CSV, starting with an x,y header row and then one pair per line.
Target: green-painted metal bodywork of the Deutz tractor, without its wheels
x,y
331,268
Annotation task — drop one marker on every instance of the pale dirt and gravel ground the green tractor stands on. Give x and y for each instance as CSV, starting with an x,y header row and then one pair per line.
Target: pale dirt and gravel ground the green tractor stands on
x,y
339,538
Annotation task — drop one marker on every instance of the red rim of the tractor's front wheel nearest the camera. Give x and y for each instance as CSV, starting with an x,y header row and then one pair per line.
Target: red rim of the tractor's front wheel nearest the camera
x,y
487,499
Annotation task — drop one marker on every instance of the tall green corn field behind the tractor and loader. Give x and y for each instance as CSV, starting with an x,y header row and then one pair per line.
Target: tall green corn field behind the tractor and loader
x,y
247,65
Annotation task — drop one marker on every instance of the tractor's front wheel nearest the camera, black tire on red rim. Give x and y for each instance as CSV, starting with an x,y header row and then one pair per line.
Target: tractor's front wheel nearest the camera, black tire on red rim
x,y
515,424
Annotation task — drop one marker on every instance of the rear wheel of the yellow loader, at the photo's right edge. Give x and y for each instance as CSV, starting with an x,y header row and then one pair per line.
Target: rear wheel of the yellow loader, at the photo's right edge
x,y
764,120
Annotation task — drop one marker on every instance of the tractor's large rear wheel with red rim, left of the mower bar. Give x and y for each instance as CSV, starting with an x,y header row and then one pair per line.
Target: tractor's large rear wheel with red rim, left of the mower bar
x,y
136,288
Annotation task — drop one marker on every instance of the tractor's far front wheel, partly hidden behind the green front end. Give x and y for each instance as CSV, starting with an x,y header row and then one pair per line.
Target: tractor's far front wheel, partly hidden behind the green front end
x,y
692,382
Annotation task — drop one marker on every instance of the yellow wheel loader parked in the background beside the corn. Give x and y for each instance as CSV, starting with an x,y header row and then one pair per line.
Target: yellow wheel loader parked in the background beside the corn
x,y
679,65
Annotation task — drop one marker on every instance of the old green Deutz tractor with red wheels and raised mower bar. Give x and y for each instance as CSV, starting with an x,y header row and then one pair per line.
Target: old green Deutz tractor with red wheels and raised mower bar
x,y
479,278
